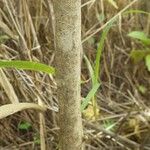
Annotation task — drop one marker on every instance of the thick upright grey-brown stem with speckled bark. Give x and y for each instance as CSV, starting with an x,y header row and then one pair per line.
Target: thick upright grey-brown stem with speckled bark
x,y
68,68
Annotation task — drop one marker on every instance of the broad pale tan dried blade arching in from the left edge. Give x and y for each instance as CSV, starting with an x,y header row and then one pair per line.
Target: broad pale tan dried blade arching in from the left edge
x,y
10,109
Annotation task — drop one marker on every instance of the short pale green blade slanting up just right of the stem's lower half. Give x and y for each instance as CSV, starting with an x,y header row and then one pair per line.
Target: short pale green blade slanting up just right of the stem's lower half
x,y
89,96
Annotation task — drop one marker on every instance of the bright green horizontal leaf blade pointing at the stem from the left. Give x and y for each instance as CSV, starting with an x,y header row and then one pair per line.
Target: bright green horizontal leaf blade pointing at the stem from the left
x,y
27,65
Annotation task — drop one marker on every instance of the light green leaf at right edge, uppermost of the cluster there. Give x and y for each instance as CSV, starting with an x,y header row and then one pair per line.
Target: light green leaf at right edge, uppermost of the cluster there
x,y
140,36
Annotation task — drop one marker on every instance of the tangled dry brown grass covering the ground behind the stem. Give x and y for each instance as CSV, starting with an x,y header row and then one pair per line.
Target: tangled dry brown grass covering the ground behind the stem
x,y
29,27
